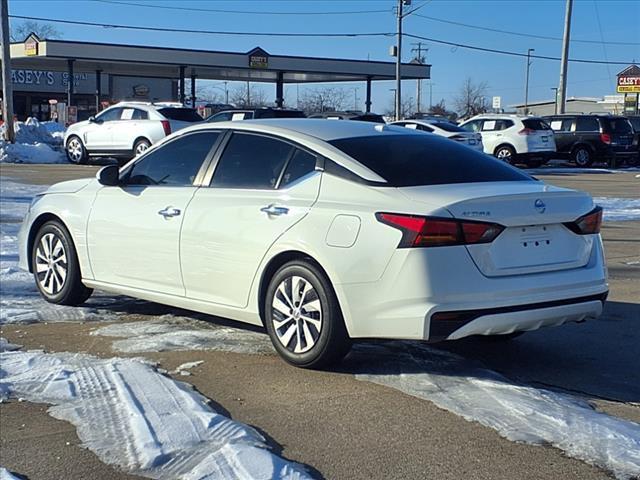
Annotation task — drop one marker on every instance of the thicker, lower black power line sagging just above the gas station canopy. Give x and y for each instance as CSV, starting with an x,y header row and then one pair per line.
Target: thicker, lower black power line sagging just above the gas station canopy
x,y
206,32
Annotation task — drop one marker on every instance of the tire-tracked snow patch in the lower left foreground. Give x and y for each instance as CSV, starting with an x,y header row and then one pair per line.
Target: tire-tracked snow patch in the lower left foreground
x,y
148,424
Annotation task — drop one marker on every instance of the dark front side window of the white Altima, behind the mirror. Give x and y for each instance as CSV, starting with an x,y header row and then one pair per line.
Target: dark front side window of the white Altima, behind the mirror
x,y
173,164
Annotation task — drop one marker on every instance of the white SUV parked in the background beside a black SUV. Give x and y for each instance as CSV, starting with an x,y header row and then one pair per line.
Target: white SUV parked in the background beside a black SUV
x,y
514,138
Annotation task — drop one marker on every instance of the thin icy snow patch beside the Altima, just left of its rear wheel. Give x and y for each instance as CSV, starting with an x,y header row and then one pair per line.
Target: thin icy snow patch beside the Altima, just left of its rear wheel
x,y
168,332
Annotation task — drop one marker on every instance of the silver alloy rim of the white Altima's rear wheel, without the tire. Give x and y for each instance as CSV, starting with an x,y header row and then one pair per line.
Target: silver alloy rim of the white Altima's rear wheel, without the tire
x,y
296,314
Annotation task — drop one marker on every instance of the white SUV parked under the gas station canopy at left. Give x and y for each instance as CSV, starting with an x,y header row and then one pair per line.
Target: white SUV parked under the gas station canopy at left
x,y
126,129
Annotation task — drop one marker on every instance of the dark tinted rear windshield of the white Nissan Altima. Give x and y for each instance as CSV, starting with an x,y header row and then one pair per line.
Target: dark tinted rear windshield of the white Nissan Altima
x,y
412,160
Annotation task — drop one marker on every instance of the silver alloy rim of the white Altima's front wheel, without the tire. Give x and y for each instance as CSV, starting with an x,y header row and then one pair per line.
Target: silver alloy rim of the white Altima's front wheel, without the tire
x,y
51,264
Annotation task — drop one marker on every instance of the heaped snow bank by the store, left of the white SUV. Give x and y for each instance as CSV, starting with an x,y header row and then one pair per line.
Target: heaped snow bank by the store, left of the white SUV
x,y
36,142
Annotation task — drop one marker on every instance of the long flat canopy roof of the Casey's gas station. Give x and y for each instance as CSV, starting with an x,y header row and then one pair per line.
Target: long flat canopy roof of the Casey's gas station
x,y
255,65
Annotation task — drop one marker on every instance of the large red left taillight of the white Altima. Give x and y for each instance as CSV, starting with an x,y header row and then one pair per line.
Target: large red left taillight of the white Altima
x,y
418,231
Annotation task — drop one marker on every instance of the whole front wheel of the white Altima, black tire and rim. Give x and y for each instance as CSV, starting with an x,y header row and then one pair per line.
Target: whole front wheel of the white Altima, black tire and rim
x,y
55,266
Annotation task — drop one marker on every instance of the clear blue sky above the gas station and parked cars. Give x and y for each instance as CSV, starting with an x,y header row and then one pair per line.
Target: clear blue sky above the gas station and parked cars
x,y
593,20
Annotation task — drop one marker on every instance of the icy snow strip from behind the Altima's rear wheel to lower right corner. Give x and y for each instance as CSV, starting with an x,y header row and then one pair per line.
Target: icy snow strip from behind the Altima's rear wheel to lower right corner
x,y
517,412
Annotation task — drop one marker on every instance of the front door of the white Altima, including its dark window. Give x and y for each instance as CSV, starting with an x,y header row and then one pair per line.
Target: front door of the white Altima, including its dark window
x,y
133,232
